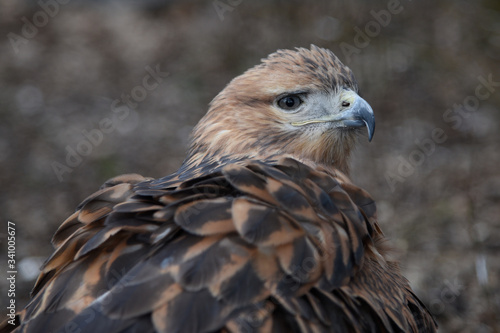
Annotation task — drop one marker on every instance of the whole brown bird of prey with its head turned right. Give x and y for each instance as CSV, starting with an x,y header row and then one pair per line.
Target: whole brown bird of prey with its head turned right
x,y
259,230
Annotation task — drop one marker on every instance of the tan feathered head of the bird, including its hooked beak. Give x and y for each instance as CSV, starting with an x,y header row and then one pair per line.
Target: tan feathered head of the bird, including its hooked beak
x,y
301,102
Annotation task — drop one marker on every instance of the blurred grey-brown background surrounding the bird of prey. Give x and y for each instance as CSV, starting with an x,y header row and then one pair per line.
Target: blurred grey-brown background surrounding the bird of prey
x,y
85,96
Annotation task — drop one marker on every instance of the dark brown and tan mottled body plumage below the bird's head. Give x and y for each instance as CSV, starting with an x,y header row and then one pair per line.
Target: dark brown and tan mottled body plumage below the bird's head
x,y
253,247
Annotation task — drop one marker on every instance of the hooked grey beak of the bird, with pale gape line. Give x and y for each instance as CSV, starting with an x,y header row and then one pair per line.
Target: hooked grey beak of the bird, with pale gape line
x,y
358,114
